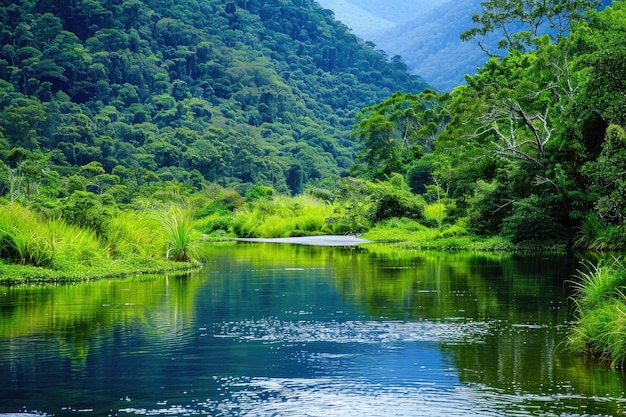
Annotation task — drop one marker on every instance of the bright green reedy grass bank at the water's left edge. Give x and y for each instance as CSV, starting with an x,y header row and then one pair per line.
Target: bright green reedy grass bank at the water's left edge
x,y
38,249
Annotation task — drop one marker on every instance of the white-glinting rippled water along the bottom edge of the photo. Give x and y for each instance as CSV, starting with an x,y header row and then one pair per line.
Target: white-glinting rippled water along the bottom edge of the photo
x,y
338,397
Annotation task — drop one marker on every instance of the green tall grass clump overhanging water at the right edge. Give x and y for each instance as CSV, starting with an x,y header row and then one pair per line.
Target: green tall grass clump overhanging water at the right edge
x,y
600,304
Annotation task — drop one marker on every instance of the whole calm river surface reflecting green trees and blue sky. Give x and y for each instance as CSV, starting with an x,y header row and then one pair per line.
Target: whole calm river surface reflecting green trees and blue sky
x,y
282,330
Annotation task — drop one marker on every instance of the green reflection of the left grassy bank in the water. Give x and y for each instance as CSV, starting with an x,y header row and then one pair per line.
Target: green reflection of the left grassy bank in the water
x,y
77,314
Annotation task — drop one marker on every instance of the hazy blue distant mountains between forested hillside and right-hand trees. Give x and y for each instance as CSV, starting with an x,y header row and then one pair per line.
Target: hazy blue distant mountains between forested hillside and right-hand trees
x,y
426,35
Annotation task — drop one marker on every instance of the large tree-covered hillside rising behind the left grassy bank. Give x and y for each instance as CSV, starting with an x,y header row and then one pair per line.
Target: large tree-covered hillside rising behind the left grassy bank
x,y
120,97
